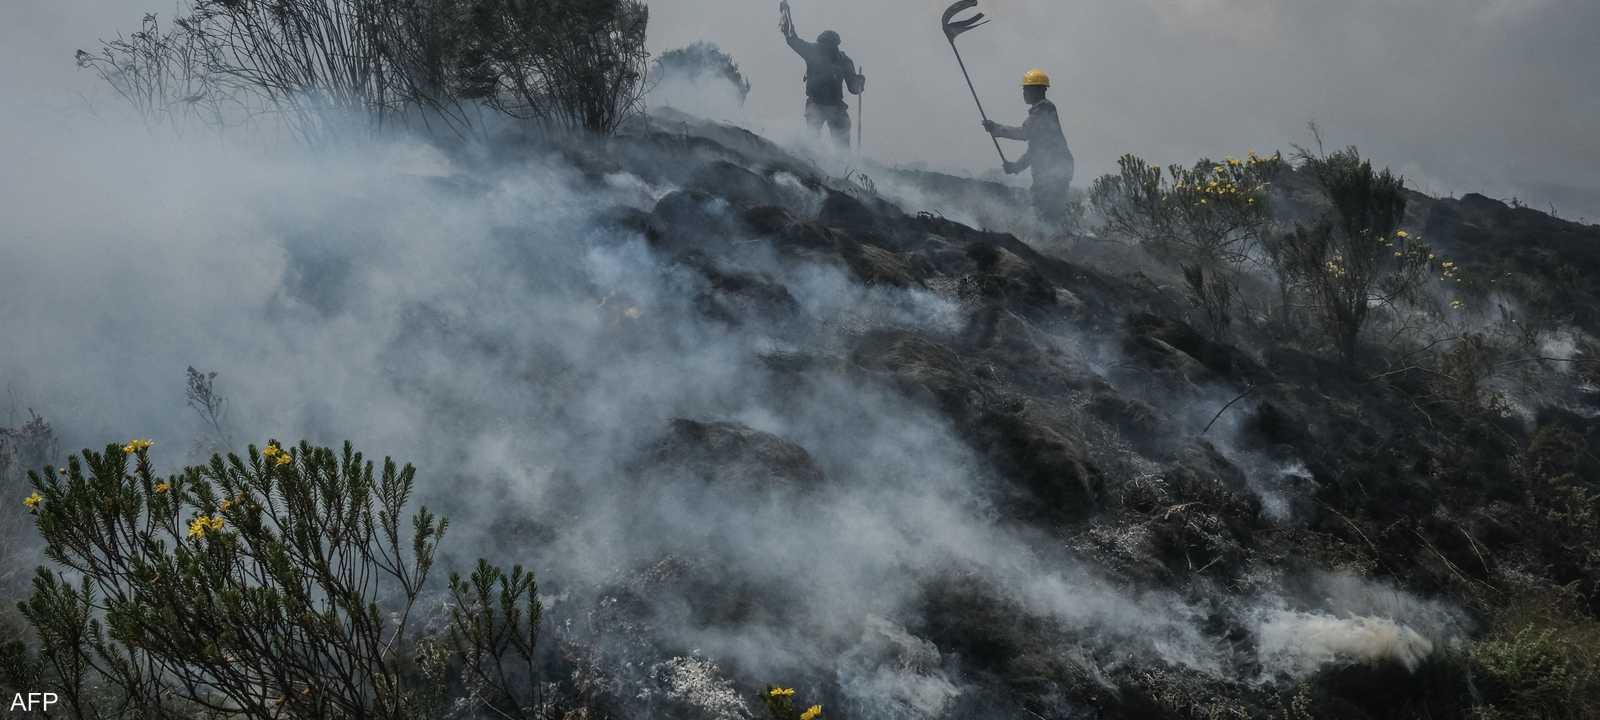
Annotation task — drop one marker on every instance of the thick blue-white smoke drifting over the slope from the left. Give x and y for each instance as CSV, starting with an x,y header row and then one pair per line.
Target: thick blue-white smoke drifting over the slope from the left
x,y
543,366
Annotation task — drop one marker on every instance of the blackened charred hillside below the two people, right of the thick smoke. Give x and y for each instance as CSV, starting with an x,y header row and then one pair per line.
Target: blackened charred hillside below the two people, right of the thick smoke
x,y
1335,540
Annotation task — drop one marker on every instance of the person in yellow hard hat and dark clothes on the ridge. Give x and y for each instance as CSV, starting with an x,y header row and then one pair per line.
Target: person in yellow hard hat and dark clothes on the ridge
x,y
1047,154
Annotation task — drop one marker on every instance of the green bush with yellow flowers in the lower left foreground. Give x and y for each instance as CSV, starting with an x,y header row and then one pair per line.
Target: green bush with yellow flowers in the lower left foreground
x,y
278,585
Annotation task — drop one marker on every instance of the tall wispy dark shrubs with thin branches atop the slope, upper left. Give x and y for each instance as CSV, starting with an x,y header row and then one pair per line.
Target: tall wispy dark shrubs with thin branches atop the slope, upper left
x,y
330,68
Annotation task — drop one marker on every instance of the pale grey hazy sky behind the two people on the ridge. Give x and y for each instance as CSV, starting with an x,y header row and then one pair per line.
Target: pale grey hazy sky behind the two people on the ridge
x,y
1462,95
